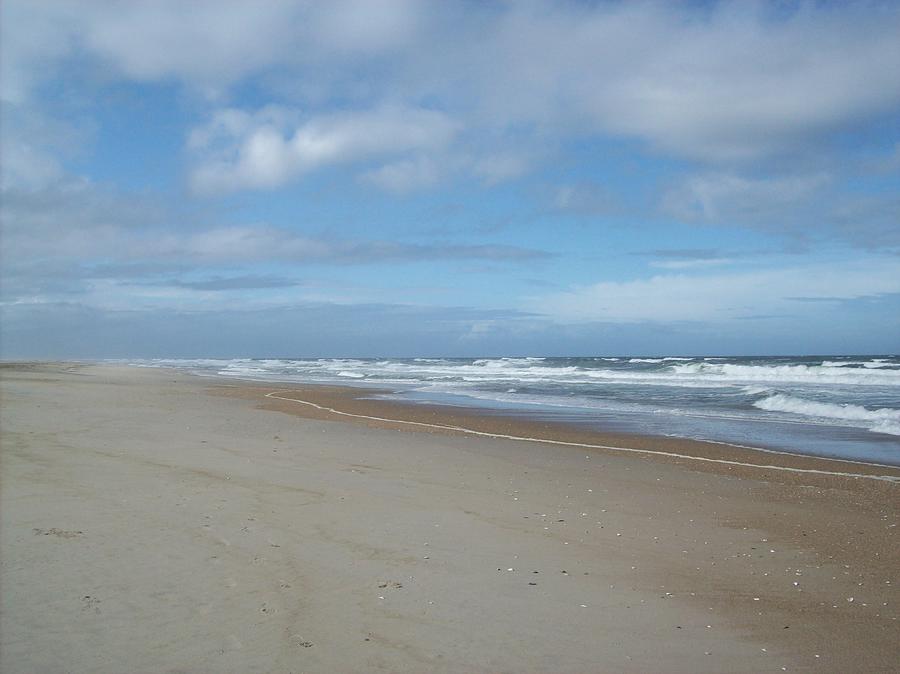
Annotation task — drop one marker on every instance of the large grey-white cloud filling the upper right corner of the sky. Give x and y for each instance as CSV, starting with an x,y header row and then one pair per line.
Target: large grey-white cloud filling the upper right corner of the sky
x,y
727,83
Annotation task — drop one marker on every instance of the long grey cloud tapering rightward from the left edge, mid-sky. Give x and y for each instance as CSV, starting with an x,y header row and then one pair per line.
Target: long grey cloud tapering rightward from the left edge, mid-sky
x,y
78,224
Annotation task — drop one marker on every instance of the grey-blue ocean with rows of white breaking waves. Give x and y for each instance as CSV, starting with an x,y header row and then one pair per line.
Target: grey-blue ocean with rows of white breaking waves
x,y
835,406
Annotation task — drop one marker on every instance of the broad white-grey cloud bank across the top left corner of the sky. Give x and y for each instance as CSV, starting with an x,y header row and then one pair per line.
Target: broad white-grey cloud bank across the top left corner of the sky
x,y
209,44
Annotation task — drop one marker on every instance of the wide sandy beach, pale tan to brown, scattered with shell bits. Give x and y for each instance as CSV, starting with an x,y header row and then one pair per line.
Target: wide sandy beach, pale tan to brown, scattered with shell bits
x,y
152,521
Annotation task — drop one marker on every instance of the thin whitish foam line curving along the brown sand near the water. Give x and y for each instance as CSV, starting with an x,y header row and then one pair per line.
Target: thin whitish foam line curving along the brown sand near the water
x,y
631,450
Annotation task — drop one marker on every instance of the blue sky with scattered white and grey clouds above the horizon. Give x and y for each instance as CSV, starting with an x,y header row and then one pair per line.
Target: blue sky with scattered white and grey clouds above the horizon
x,y
295,178
